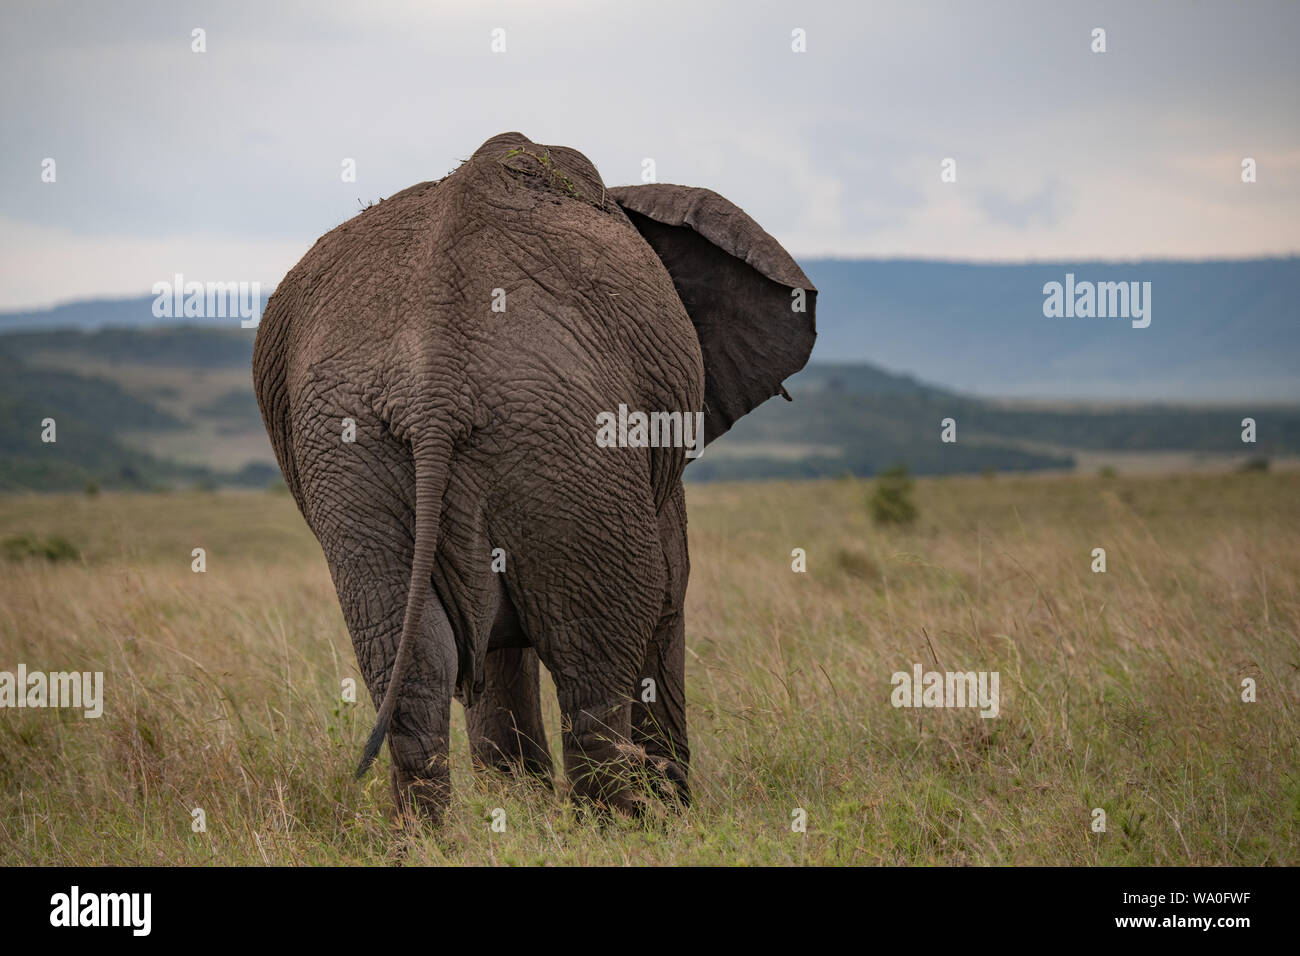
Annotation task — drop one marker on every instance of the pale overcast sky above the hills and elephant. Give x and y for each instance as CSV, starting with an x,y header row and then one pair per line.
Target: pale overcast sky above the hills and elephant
x,y
227,165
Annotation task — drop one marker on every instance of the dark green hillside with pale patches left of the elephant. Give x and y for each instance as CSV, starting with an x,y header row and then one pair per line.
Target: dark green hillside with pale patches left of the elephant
x,y
123,403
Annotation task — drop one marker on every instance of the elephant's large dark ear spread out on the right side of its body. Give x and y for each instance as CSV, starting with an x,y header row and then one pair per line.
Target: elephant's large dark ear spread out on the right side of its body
x,y
742,289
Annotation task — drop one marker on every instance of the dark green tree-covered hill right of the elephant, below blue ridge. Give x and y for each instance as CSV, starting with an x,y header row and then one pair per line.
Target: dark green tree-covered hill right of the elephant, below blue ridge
x,y
857,419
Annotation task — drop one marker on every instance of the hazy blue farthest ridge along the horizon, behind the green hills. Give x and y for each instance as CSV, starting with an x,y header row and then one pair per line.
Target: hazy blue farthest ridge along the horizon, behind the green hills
x,y
1220,331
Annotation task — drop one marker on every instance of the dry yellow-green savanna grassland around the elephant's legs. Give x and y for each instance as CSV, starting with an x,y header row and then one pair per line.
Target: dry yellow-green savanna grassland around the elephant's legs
x,y
1119,691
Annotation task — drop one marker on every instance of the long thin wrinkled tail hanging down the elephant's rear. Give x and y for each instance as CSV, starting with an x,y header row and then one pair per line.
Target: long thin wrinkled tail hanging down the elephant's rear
x,y
432,461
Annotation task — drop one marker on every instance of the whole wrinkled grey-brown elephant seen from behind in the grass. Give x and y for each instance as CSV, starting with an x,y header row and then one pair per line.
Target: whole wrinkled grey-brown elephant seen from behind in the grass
x,y
434,375
